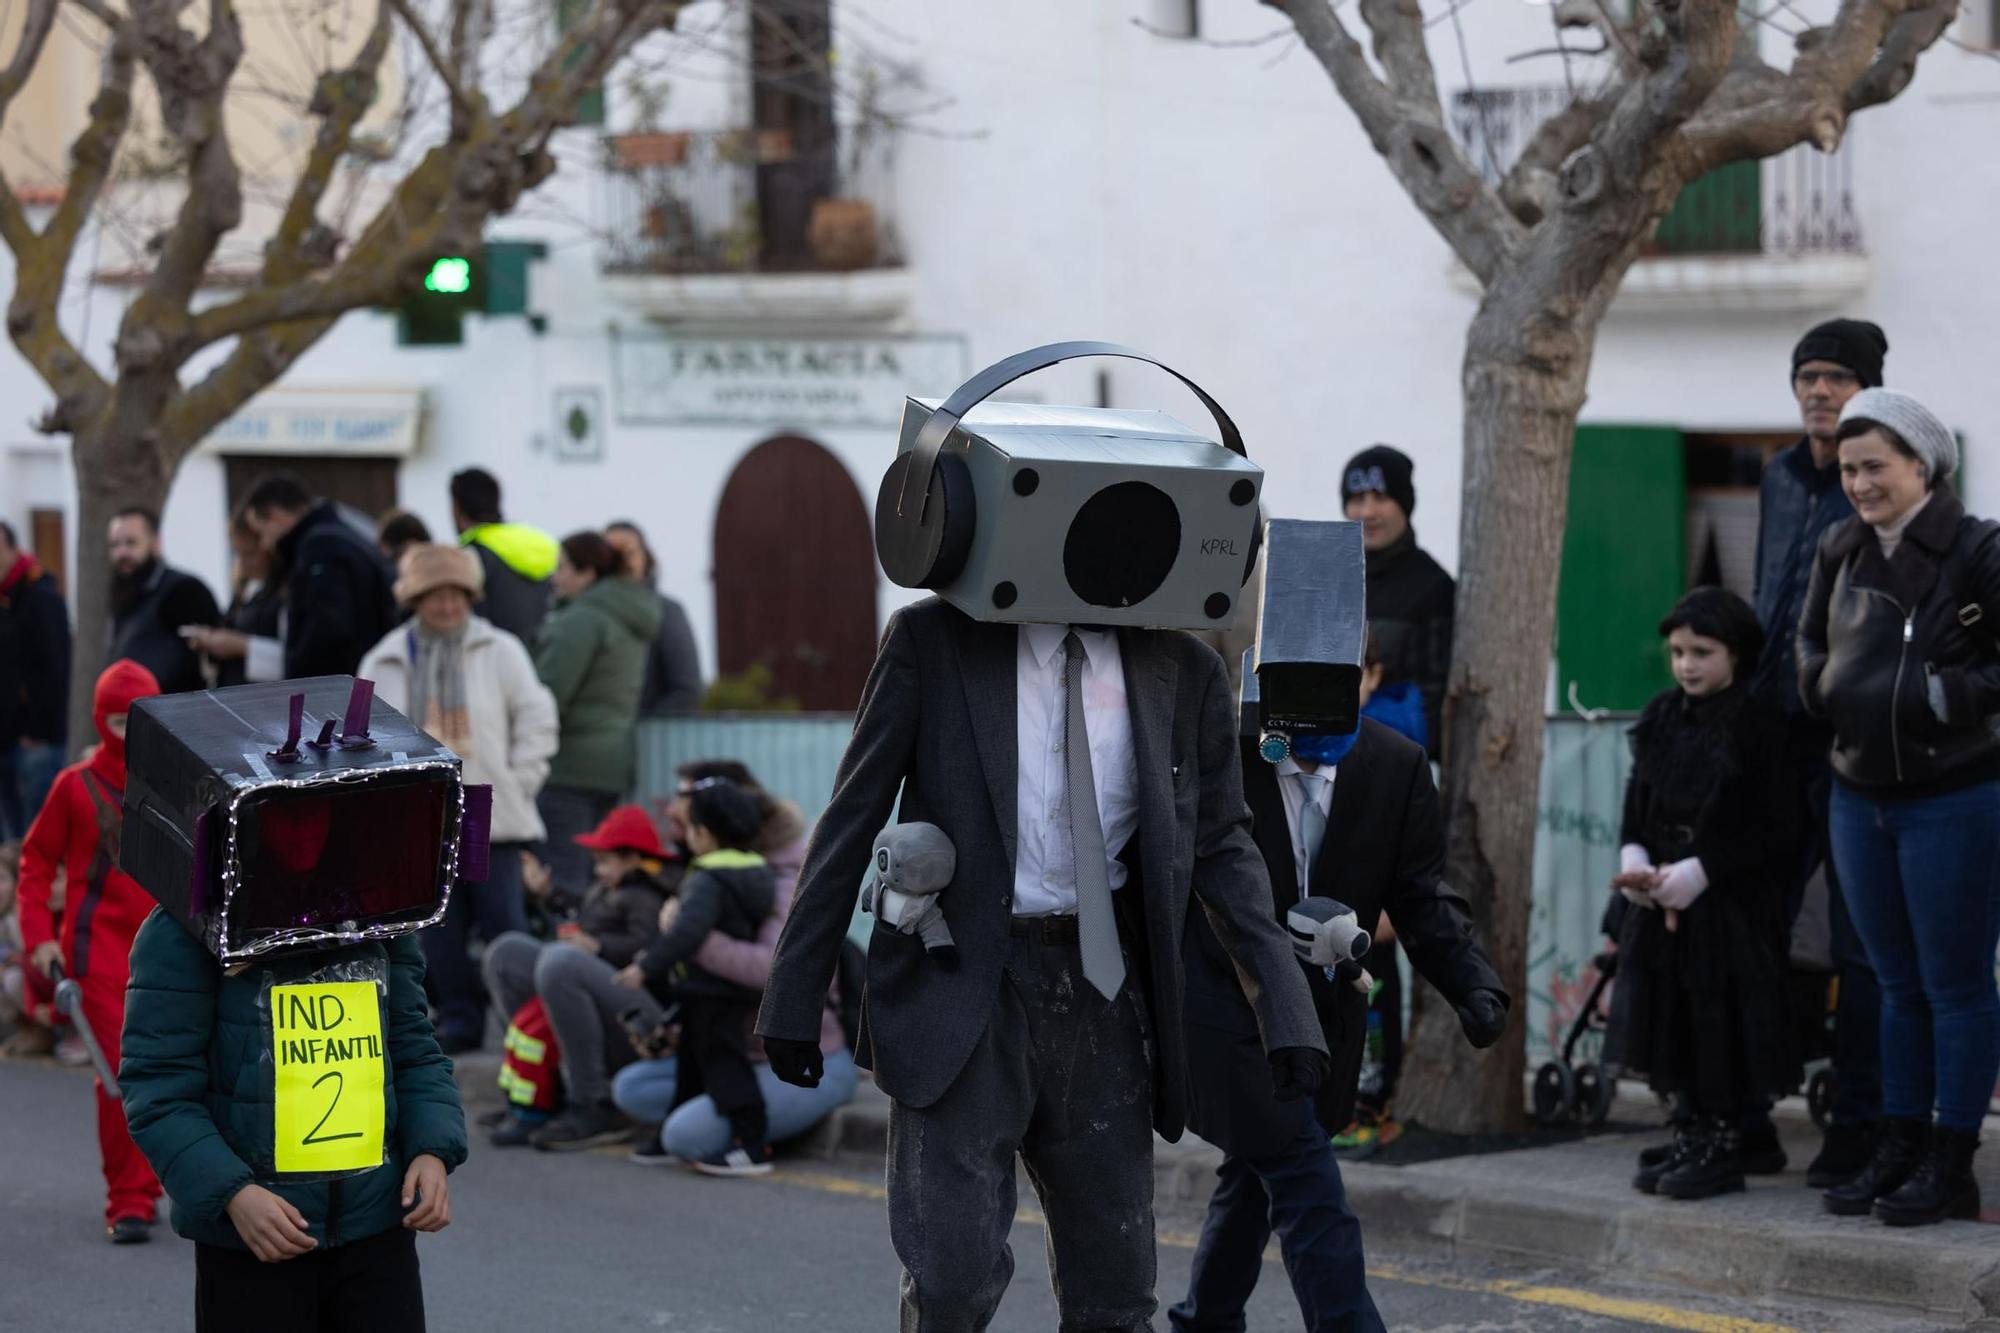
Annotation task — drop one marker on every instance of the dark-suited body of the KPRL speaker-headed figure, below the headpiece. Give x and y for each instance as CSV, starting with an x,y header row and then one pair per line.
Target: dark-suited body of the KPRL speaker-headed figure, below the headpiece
x,y
1039,1044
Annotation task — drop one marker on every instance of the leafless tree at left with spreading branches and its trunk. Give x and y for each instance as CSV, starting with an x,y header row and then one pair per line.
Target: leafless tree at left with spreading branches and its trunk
x,y
187,357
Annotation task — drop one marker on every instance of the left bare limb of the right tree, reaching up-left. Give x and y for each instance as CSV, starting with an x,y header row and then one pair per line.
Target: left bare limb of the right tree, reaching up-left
x,y
1407,127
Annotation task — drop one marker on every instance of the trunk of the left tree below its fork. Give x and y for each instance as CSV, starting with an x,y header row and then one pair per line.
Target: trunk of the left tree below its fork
x,y
115,469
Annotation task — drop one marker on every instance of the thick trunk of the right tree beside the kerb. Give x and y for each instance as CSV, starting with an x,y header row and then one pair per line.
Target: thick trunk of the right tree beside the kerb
x,y
1523,391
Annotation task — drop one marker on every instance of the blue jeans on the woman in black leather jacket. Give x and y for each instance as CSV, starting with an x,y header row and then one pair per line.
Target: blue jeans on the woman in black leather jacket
x,y
1923,882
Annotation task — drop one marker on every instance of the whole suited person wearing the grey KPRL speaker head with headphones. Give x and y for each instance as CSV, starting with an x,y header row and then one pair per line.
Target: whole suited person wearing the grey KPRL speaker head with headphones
x,y
1067,549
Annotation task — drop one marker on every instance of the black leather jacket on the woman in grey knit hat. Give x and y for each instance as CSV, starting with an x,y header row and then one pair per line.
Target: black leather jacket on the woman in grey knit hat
x,y
1875,635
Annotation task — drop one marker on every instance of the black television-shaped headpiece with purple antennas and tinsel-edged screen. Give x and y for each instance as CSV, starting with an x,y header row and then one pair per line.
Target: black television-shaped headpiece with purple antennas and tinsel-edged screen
x,y
295,816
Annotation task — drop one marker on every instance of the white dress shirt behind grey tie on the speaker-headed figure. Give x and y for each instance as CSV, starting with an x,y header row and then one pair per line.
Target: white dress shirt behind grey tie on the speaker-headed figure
x,y
1045,864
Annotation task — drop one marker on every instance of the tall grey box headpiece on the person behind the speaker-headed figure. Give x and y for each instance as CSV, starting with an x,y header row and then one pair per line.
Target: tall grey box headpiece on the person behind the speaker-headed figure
x,y
1303,678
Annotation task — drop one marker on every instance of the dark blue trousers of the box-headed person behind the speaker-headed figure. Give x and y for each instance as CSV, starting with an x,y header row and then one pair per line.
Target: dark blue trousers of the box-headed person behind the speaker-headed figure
x,y
1299,1196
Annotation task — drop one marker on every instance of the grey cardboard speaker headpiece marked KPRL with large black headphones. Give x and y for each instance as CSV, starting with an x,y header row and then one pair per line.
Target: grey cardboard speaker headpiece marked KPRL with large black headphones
x,y
1025,513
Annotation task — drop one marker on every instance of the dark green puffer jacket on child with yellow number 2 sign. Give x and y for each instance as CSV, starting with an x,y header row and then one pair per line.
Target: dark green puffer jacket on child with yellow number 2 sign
x,y
199,1086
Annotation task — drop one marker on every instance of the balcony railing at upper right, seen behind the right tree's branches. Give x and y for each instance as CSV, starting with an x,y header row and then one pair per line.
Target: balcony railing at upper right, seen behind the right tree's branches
x,y
1795,205
